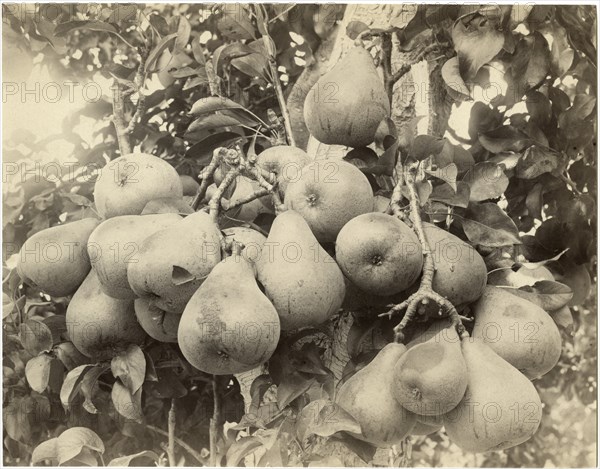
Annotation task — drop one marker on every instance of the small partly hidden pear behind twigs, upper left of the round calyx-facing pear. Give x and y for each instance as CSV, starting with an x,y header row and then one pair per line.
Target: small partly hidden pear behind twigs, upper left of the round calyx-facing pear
x,y
285,162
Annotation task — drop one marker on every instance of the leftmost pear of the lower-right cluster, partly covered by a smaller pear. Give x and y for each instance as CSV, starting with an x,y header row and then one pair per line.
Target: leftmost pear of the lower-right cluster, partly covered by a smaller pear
x,y
367,396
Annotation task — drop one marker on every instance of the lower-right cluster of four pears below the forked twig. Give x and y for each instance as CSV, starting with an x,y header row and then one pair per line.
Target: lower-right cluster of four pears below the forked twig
x,y
479,388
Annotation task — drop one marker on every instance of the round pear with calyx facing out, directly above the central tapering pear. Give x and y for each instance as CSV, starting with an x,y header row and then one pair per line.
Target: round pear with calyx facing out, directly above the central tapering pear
x,y
328,194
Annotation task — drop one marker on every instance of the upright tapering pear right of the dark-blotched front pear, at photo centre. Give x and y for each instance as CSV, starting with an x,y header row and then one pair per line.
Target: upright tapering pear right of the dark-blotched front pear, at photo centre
x,y
304,283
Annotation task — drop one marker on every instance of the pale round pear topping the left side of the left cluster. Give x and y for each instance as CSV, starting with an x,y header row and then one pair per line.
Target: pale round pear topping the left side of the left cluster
x,y
126,184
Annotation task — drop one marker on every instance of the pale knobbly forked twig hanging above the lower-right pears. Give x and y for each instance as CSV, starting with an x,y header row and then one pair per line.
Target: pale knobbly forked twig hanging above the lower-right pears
x,y
425,293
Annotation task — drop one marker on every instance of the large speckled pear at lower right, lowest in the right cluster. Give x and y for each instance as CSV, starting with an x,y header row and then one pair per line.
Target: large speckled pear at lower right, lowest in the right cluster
x,y
501,407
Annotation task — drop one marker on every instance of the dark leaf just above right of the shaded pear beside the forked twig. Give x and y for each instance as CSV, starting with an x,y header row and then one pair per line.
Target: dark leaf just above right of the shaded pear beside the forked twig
x,y
488,225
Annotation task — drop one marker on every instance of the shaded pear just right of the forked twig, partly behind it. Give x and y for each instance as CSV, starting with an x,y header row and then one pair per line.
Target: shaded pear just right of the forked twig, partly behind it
x,y
460,274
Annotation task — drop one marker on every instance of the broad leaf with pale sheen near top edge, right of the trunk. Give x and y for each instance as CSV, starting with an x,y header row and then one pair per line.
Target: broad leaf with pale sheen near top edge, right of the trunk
x,y
476,43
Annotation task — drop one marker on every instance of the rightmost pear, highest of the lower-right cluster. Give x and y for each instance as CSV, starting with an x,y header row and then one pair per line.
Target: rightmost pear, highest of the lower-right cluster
x,y
519,331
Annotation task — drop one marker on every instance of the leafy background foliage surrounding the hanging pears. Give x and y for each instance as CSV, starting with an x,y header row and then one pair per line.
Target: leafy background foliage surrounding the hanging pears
x,y
520,185
